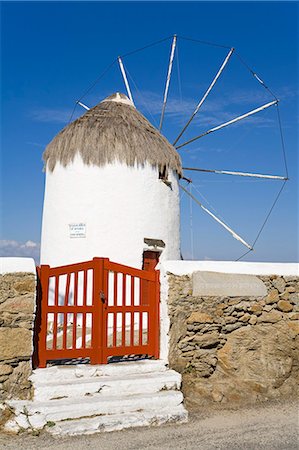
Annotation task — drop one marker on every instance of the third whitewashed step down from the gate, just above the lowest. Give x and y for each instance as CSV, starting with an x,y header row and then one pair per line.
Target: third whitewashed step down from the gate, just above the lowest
x,y
55,410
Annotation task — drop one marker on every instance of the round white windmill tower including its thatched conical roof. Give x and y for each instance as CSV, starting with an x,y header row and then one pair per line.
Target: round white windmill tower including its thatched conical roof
x,y
111,189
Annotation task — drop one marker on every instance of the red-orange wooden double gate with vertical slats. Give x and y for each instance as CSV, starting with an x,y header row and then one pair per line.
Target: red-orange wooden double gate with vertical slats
x,y
96,309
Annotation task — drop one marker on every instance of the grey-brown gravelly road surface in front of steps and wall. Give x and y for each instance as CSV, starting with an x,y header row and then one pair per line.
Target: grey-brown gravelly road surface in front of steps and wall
x,y
273,426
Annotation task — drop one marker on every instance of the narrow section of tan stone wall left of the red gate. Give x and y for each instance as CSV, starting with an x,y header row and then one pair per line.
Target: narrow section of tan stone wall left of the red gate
x,y
17,304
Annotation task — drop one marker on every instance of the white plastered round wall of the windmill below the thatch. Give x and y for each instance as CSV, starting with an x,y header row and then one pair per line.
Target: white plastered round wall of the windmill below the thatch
x,y
120,206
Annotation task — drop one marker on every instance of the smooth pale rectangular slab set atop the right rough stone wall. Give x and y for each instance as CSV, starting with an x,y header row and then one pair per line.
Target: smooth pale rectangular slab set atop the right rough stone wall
x,y
223,284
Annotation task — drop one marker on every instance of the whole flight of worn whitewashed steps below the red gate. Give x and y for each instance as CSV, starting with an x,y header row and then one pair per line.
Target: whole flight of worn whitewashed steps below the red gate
x,y
88,399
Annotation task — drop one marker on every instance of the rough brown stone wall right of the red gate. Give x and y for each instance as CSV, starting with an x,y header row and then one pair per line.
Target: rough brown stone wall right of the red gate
x,y
235,349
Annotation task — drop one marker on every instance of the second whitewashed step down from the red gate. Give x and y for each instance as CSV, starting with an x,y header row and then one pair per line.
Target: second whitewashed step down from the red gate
x,y
107,386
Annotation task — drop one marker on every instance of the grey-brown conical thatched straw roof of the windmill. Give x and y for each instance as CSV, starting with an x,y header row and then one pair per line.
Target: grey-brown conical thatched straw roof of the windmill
x,y
112,131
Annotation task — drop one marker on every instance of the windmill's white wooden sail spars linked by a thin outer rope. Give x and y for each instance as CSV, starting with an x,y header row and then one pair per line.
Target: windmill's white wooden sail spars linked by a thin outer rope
x,y
181,143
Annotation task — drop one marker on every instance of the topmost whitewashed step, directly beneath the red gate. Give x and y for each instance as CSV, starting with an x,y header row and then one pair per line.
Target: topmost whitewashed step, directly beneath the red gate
x,y
65,373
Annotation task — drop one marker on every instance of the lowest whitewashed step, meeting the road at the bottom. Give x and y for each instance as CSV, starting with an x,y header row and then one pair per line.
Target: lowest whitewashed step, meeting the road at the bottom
x,y
119,421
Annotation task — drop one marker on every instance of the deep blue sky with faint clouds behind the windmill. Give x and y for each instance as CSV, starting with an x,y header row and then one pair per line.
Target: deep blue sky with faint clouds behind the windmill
x,y
52,52
